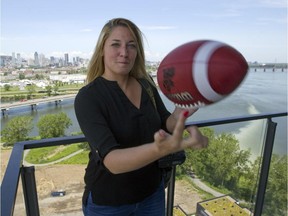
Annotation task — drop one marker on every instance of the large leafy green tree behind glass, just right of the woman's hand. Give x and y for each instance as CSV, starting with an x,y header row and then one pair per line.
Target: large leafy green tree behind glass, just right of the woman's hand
x,y
222,163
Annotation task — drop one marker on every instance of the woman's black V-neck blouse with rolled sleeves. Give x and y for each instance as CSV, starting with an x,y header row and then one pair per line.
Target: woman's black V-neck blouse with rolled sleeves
x,y
109,120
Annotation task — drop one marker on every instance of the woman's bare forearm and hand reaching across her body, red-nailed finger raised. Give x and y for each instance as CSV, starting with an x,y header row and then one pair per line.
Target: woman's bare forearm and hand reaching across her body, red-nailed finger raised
x,y
129,159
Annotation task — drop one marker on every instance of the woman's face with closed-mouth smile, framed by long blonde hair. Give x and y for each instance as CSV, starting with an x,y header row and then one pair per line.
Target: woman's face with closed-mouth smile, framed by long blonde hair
x,y
119,52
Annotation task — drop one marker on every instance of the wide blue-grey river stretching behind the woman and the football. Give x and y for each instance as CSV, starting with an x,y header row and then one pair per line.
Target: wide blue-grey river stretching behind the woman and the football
x,y
260,92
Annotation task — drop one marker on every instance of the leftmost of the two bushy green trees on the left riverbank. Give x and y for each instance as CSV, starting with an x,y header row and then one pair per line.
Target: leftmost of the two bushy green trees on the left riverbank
x,y
17,129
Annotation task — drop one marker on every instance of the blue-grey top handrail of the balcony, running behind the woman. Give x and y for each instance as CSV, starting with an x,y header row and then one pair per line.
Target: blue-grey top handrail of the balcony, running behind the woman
x,y
11,178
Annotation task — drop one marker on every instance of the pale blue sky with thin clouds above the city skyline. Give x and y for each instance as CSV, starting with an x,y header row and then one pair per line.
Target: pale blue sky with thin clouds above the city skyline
x,y
256,28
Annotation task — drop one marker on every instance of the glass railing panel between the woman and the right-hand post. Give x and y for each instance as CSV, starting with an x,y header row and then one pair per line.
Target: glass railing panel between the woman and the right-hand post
x,y
224,177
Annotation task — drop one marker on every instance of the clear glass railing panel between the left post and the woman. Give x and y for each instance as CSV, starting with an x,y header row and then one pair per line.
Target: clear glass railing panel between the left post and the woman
x,y
59,175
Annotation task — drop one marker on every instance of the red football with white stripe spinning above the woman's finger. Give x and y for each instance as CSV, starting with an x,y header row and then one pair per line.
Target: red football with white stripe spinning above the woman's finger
x,y
200,73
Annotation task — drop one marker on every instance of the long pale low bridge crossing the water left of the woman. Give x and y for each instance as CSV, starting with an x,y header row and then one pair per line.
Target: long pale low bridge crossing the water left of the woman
x,y
34,102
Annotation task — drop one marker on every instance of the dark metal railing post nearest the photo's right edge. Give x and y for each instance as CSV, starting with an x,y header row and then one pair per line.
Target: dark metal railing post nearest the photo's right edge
x,y
267,154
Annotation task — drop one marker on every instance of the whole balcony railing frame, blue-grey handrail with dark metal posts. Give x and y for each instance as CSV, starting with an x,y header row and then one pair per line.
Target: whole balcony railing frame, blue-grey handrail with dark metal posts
x,y
15,167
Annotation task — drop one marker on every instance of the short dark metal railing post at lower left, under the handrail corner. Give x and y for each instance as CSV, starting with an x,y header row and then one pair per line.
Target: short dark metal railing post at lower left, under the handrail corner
x,y
30,191
